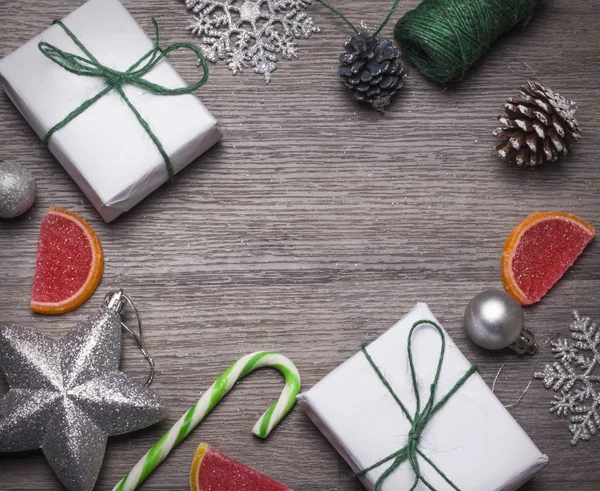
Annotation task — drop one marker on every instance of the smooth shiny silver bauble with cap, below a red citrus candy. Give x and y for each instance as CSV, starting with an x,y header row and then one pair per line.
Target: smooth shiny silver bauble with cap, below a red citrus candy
x,y
495,320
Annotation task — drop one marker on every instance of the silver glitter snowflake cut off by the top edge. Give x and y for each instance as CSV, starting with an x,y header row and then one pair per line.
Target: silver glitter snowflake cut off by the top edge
x,y
250,33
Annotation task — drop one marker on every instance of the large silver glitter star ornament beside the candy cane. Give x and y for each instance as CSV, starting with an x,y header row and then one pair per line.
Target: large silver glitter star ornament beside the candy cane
x,y
67,396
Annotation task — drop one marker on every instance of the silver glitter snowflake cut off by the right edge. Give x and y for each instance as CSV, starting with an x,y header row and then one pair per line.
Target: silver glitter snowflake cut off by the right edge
x,y
573,377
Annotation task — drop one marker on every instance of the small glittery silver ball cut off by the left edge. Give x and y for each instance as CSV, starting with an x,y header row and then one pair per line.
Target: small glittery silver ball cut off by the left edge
x,y
17,190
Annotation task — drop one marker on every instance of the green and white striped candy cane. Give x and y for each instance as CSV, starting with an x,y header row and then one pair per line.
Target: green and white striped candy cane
x,y
194,416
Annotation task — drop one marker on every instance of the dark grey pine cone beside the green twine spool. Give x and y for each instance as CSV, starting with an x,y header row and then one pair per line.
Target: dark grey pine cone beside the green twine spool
x,y
371,69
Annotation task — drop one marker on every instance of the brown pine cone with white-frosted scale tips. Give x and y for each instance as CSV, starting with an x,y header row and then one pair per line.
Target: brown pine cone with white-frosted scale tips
x,y
539,126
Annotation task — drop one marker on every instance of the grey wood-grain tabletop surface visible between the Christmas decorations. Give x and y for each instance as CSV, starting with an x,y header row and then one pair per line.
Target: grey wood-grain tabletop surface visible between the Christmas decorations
x,y
314,226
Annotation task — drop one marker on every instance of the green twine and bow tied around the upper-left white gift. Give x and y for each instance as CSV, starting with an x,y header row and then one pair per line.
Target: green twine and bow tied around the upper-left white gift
x,y
91,67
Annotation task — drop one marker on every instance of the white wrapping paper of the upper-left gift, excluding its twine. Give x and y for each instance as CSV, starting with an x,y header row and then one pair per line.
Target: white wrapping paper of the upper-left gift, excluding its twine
x,y
105,149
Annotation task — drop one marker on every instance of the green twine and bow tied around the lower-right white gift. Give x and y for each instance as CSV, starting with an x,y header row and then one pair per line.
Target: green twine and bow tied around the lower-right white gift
x,y
421,417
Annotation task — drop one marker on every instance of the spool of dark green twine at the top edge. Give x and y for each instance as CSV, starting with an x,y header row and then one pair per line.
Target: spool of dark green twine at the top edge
x,y
443,38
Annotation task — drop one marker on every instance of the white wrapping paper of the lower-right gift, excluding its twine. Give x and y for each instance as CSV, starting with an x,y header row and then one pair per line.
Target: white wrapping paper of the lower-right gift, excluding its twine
x,y
473,439
